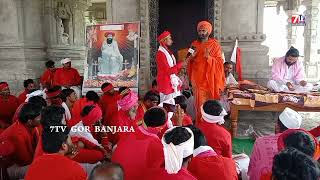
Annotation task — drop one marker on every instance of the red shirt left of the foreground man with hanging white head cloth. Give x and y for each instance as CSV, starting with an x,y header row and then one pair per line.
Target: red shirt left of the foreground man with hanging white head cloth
x,y
138,153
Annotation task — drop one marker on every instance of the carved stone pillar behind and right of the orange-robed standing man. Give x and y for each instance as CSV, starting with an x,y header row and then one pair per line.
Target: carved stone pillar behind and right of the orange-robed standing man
x,y
243,20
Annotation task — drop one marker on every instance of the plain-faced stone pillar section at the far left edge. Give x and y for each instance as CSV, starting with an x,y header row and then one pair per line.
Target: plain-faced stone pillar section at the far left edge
x,y
21,42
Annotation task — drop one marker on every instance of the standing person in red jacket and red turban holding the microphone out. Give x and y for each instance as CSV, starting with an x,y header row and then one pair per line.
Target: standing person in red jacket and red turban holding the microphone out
x,y
169,84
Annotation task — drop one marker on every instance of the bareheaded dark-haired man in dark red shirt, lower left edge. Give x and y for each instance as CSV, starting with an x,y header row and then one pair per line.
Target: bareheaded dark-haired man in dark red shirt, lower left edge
x,y
23,140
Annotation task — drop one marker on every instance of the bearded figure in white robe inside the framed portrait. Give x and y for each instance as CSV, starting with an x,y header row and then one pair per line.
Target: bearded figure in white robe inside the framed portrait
x,y
111,60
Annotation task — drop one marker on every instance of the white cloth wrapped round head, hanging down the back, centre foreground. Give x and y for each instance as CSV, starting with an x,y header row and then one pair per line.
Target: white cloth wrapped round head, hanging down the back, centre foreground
x,y
174,154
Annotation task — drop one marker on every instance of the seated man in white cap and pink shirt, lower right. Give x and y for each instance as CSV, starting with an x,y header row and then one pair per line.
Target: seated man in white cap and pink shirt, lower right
x,y
266,147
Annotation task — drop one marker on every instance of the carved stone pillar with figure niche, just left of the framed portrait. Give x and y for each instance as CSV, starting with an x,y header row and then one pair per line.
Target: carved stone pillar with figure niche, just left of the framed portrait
x,y
65,26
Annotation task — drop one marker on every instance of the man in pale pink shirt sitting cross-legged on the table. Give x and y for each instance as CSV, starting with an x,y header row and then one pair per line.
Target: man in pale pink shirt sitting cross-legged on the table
x,y
288,73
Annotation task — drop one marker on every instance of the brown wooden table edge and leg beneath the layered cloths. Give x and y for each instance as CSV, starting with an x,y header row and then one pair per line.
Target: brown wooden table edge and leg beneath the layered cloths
x,y
271,108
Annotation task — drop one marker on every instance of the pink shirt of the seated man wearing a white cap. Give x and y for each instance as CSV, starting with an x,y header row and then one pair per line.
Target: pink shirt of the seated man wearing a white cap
x,y
265,148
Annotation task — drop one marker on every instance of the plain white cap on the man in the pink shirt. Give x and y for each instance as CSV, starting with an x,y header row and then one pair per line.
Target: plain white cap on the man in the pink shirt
x,y
290,118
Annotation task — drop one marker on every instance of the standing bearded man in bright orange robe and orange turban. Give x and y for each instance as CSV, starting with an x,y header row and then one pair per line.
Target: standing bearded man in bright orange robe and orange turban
x,y
205,68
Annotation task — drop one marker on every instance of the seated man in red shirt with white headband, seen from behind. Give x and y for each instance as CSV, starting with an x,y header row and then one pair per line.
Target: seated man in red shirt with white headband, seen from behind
x,y
211,126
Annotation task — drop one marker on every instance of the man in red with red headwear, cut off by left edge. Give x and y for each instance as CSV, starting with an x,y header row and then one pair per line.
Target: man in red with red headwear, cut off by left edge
x,y
8,106
